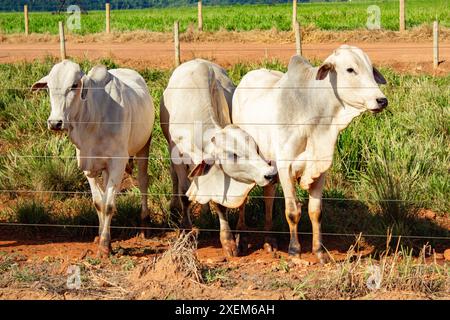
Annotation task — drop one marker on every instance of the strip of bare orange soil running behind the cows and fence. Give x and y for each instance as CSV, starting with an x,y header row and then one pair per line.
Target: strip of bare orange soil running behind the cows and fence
x,y
411,55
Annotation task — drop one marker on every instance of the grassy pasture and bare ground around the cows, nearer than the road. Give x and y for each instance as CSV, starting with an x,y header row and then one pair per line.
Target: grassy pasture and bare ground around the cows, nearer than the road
x,y
390,175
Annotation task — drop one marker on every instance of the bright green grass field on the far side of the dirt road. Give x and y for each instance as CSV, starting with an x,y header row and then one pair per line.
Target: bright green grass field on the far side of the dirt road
x,y
326,16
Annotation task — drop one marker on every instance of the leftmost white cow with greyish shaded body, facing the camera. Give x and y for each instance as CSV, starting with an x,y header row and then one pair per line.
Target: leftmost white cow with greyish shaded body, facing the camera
x,y
109,116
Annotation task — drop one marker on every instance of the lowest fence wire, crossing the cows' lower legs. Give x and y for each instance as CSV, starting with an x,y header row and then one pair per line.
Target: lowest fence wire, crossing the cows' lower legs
x,y
13,224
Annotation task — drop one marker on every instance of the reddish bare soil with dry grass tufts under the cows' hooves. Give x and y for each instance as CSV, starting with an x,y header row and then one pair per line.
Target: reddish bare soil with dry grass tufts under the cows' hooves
x,y
146,269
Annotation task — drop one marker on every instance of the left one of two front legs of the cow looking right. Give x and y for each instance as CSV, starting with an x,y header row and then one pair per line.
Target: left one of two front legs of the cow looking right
x,y
292,209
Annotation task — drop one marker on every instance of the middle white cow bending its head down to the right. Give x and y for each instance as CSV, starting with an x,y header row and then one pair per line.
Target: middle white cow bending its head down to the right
x,y
220,158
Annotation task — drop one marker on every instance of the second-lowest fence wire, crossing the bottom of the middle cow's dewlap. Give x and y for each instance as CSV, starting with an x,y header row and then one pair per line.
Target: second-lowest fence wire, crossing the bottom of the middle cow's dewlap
x,y
203,195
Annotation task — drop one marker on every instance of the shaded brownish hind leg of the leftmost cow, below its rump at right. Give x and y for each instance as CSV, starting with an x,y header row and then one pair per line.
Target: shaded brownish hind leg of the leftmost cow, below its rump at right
x,y
143,179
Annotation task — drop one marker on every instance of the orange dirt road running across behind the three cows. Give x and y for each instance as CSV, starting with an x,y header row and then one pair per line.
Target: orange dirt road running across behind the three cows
x,y
402,56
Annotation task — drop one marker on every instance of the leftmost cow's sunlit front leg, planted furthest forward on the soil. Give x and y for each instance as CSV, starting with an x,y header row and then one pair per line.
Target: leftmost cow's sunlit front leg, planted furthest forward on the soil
x,y
115,176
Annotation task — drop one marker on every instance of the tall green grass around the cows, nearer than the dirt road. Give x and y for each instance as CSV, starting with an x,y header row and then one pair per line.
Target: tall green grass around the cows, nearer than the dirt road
x,y
400,154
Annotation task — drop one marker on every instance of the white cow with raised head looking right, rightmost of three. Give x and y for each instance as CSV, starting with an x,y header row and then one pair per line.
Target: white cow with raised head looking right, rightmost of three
x,y
295,119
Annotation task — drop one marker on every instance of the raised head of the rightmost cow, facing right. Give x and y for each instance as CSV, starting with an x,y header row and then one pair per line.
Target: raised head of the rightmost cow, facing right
x,y
354,79
